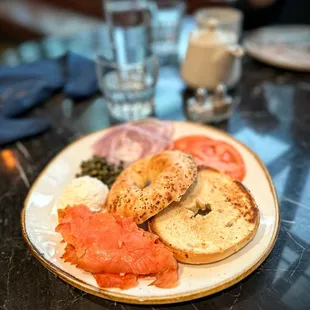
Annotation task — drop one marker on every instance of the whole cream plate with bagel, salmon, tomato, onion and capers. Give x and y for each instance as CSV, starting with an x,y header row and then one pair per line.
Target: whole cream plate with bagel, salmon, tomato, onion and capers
x,y
152,212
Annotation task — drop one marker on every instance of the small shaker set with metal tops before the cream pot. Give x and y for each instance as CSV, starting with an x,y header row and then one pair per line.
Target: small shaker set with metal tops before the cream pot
x,y
204,108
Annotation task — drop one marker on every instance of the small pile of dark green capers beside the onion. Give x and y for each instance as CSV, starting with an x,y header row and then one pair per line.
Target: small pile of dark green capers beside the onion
x,y
98,167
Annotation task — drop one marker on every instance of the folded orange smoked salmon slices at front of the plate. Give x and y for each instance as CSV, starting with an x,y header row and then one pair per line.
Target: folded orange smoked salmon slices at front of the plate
x,y
114,249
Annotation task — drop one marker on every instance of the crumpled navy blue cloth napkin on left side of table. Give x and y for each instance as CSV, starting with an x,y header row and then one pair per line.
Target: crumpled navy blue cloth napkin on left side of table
x,y
25,87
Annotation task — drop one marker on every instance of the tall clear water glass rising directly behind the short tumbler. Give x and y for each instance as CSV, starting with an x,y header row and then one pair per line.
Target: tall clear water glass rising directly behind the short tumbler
x,y
129,29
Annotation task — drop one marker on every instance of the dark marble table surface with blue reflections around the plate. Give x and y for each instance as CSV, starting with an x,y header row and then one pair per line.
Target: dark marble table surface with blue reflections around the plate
x,y
272,117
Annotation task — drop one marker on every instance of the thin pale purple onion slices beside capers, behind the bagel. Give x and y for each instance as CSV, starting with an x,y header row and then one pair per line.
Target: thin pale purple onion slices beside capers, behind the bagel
x,y
132,141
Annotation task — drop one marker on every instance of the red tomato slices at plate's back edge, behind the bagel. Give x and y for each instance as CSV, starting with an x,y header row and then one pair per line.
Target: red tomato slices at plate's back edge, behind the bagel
x,y
213,153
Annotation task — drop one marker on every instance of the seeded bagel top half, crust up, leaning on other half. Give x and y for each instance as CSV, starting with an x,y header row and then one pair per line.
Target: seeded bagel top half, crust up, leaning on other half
x,y
170,174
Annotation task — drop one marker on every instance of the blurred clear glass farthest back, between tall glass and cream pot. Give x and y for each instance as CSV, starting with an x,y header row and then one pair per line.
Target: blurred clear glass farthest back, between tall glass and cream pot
x,y
166,27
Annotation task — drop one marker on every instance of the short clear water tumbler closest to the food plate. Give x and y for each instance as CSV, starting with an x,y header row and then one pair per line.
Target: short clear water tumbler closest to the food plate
x,y
128,89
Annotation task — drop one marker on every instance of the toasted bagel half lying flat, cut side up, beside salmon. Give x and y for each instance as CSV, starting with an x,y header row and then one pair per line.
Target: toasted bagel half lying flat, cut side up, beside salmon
x,y
214,219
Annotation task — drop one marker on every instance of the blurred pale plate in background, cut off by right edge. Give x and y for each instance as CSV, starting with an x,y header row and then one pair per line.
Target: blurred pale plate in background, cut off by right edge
x,y
286,47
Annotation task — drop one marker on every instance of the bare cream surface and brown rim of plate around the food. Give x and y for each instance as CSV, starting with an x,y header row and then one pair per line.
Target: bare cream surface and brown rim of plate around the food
x,y
38,222
